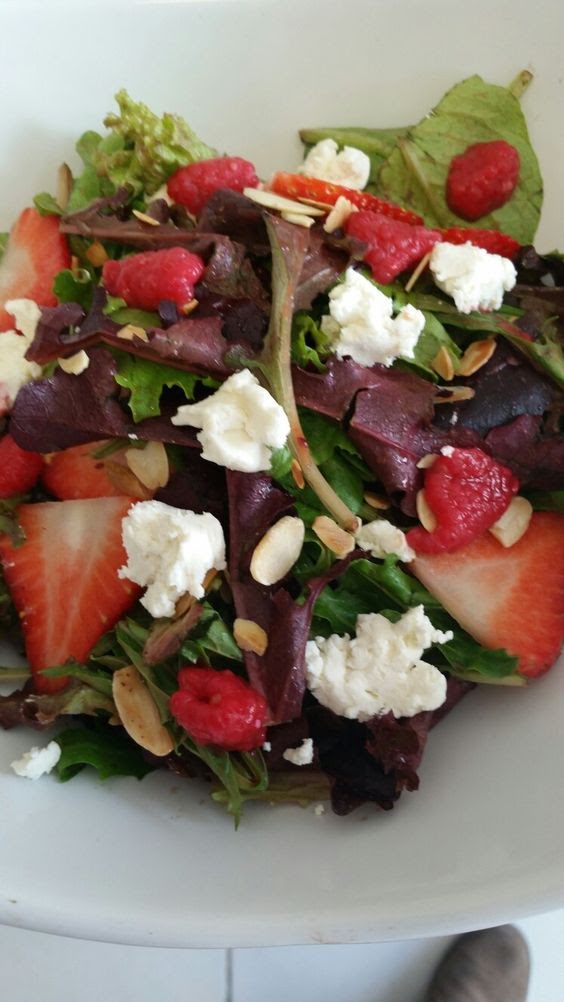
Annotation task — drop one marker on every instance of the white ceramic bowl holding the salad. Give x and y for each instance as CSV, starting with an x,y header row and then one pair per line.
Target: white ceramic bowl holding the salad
x,y
154,862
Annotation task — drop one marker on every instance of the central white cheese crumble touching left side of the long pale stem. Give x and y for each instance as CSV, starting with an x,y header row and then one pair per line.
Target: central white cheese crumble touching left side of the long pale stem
x,y
241,424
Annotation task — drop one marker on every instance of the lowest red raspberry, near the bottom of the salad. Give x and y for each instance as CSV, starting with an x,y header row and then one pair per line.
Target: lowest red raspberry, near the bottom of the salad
x,y
219,708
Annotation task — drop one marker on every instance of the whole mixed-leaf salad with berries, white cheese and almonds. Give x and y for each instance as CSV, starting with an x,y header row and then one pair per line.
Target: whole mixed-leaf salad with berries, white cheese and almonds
x,y
282,462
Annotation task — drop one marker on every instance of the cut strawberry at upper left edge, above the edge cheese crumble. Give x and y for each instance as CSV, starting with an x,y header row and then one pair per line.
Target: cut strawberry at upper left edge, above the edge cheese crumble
x,y
36,254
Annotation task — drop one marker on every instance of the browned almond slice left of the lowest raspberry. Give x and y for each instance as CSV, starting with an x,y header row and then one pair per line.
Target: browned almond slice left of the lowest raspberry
x,y
139,712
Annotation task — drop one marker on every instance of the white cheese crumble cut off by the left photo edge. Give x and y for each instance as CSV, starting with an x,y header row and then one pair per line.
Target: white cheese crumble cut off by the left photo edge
x,y
16,370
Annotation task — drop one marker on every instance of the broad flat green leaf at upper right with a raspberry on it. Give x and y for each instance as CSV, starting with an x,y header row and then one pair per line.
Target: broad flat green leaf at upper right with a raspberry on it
x,y
415,174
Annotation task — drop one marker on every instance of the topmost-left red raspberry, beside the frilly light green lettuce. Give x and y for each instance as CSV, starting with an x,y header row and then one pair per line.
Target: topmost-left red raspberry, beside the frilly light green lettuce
x,y
195,185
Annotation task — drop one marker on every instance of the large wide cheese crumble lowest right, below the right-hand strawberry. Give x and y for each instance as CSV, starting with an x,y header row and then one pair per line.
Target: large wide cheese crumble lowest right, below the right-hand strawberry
x,y
380,671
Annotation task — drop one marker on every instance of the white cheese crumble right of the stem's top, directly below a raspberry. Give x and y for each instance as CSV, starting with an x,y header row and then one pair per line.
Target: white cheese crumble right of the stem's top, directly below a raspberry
x,y
363,327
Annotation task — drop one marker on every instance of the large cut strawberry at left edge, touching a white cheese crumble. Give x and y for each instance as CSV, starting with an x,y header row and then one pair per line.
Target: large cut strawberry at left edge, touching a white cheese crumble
x,y
64,580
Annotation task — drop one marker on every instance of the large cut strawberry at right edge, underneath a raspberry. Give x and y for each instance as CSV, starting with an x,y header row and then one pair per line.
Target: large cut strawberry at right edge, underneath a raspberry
x,y
512,599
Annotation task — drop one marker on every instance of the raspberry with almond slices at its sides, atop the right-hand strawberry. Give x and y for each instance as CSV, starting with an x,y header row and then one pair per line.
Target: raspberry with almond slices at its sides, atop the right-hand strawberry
x,y
467,492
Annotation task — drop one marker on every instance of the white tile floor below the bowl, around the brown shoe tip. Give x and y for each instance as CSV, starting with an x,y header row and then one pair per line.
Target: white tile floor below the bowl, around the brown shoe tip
x,y
54,969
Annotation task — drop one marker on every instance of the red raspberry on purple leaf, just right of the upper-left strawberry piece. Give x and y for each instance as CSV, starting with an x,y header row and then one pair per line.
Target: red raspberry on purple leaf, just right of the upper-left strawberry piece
x,y
145,280
